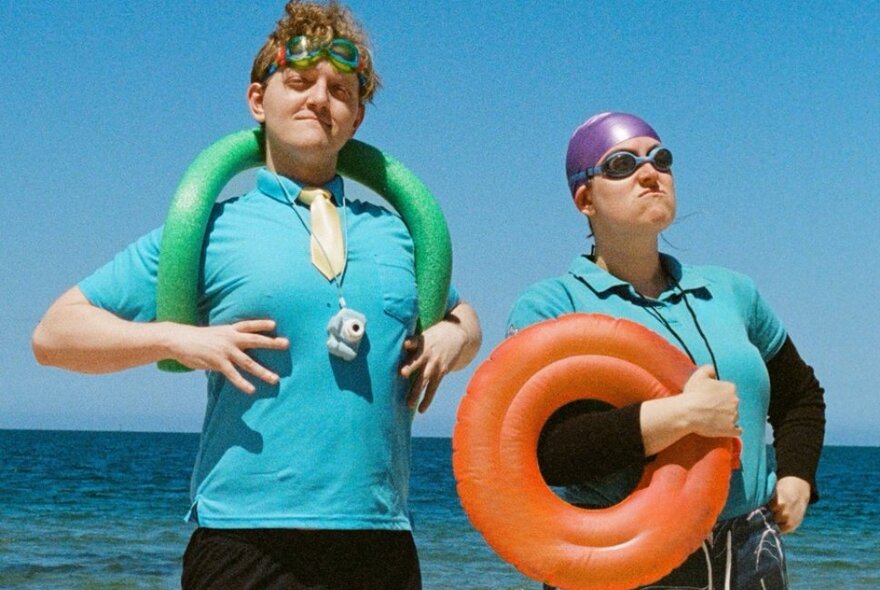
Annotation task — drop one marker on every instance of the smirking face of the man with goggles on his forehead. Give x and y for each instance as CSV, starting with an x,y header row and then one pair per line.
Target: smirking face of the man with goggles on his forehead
x,y
309,114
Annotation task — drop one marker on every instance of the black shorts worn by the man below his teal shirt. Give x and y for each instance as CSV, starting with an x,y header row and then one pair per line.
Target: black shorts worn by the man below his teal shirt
x,y
296,559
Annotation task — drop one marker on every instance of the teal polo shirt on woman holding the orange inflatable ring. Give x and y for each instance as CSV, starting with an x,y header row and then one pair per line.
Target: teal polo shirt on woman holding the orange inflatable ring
x,y
742,331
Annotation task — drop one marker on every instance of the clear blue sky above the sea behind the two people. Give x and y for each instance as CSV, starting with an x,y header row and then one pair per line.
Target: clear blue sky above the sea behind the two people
x,y
771,110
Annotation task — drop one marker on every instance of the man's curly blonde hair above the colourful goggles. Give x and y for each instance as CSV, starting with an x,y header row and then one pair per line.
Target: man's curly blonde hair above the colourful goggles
x,y
324,22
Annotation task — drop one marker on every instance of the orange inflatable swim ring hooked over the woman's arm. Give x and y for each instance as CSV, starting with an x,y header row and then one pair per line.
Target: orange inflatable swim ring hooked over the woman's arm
x,y
508,401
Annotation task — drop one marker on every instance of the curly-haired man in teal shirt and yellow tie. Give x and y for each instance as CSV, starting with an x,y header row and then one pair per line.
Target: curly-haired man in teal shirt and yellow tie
x,y
301,479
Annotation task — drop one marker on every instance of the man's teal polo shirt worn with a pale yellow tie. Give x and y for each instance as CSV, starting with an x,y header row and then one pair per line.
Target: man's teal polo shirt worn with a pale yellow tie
x,y
328,447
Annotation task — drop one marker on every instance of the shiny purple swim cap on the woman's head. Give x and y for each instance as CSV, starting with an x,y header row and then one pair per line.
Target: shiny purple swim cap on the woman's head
x,y
597,135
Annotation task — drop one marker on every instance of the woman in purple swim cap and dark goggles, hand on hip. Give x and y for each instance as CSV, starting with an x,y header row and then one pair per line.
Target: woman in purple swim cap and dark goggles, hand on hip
x,y
620,176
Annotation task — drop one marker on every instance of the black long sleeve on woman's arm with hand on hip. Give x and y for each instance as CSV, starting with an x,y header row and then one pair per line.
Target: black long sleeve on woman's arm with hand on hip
x,y
797,415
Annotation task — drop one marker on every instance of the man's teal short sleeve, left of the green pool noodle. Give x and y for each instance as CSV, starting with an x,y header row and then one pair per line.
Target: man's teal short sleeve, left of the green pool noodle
x,y
126,286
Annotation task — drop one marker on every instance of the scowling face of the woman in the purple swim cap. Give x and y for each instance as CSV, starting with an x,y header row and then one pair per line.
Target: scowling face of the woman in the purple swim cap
x,y
642,203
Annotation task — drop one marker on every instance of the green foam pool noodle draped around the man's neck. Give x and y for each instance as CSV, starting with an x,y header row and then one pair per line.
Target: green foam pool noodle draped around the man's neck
x,y
190,210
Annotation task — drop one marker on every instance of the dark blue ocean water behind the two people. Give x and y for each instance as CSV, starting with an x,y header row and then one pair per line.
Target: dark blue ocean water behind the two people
x,y
104,510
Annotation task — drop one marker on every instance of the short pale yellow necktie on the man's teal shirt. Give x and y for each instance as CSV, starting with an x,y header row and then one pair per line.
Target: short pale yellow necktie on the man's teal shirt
x,y
327,246
